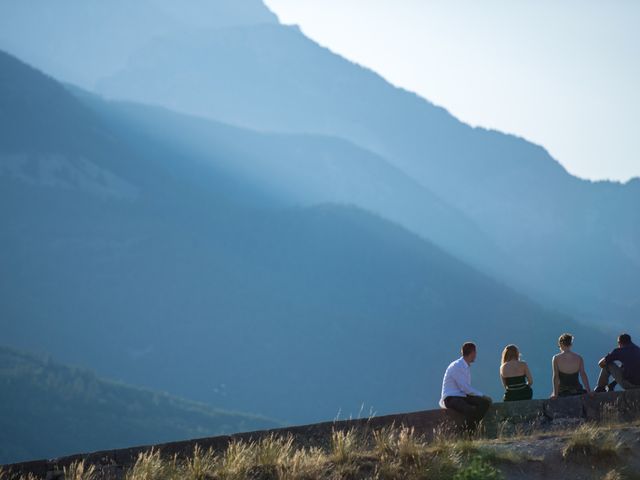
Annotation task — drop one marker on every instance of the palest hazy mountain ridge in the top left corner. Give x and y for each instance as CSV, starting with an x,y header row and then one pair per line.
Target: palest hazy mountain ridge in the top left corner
x,y
101,52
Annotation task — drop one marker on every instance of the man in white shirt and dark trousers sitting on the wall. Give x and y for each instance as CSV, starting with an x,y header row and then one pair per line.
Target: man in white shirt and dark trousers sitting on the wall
x,y
457,392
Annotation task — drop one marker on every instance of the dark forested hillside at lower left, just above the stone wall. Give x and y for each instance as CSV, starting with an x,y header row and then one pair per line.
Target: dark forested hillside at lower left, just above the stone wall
x,y
49,409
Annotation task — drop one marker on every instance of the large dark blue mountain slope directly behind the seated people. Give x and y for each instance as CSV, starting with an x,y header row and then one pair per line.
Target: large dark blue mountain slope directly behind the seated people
x,y
199,286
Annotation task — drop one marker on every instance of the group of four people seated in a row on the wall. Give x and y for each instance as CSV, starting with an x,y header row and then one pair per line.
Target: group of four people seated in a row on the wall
x,y
622,364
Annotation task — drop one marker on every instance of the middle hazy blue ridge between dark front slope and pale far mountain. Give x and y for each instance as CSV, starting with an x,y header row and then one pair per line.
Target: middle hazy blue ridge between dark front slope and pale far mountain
x,y
305,170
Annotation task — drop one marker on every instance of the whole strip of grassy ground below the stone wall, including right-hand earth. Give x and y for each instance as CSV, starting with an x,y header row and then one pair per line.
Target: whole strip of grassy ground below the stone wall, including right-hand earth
x,y
390,453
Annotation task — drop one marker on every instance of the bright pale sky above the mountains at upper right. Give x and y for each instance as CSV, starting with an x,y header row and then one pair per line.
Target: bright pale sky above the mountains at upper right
x,y
562,73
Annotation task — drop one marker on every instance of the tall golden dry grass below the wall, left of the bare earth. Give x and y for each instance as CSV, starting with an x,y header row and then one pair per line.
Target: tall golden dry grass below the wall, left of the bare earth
x,y
385,454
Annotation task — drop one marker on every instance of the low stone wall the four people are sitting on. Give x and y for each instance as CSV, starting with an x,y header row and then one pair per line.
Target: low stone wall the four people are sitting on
x,y
503,418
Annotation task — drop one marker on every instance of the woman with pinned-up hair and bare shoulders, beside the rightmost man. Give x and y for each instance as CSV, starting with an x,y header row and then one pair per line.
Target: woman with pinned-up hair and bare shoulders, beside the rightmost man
x,y
568,367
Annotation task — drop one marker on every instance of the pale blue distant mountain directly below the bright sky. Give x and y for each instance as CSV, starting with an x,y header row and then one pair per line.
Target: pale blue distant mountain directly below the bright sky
x,y
572,243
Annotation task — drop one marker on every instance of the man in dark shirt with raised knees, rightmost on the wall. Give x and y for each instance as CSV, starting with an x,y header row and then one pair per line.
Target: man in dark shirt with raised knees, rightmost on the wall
x,y
628,375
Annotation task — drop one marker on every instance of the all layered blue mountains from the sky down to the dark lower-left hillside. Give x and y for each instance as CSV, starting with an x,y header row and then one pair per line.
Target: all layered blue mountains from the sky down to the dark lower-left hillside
x,y
211,204
